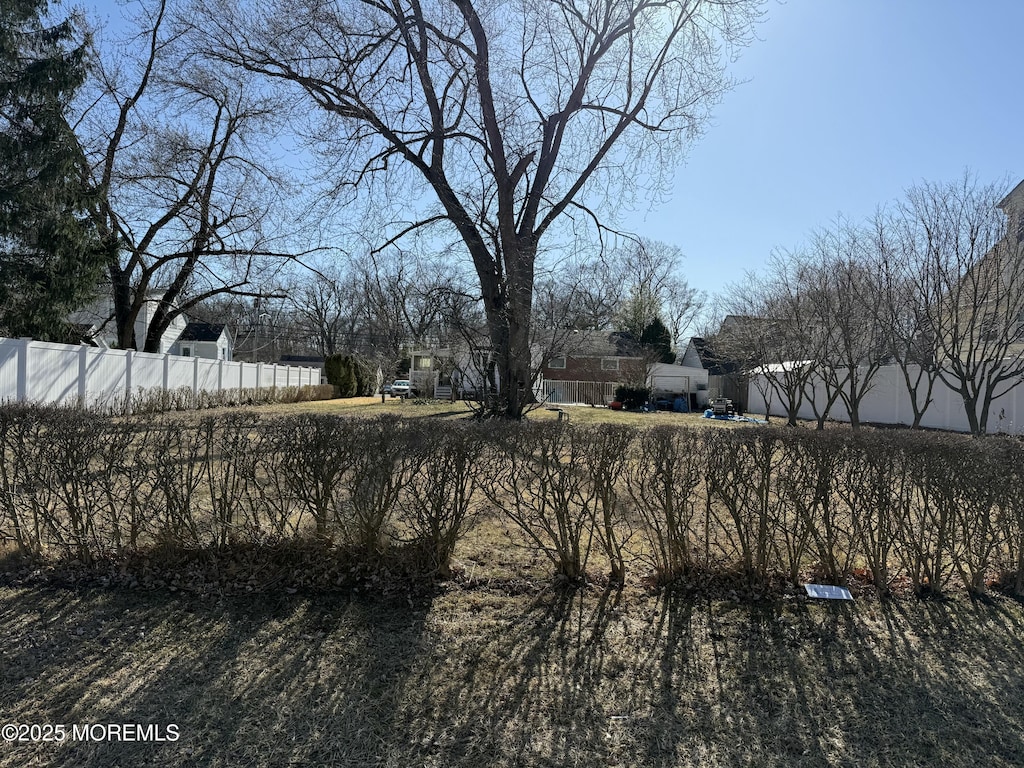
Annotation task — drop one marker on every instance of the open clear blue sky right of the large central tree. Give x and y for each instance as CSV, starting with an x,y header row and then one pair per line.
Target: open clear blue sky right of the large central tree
x,y
847,104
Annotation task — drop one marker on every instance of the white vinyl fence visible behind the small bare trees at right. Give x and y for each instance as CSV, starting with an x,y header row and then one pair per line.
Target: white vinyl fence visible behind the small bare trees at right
x,y
889,403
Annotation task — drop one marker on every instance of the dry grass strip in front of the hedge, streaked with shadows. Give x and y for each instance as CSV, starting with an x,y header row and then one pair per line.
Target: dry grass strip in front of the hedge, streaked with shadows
x,y
474,675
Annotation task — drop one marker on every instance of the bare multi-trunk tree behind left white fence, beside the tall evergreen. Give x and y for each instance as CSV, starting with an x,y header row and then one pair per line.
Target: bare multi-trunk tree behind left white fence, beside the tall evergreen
x,y
178,152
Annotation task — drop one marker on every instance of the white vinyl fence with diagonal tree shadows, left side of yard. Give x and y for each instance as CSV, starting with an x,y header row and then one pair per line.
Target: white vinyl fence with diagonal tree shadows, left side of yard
x,y
65,374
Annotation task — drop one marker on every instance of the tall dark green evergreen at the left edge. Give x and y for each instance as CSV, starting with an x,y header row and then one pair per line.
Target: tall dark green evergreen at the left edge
x,y
51,261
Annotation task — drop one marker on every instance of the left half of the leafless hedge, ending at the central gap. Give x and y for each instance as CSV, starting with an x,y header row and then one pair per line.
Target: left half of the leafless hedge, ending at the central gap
x,y
79,486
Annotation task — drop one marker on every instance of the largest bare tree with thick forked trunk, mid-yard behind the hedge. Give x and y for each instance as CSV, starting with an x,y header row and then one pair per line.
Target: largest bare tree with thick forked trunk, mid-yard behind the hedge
x,y
517,115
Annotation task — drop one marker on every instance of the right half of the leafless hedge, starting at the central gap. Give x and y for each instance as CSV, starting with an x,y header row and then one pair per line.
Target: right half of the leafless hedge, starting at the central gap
x,y
927,508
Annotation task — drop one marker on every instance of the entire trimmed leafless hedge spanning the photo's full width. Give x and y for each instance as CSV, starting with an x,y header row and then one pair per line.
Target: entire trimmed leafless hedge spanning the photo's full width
x,y
931,509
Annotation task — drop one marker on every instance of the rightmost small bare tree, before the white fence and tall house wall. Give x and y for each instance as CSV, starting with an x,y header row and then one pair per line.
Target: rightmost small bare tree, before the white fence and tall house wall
x,y
968,265
